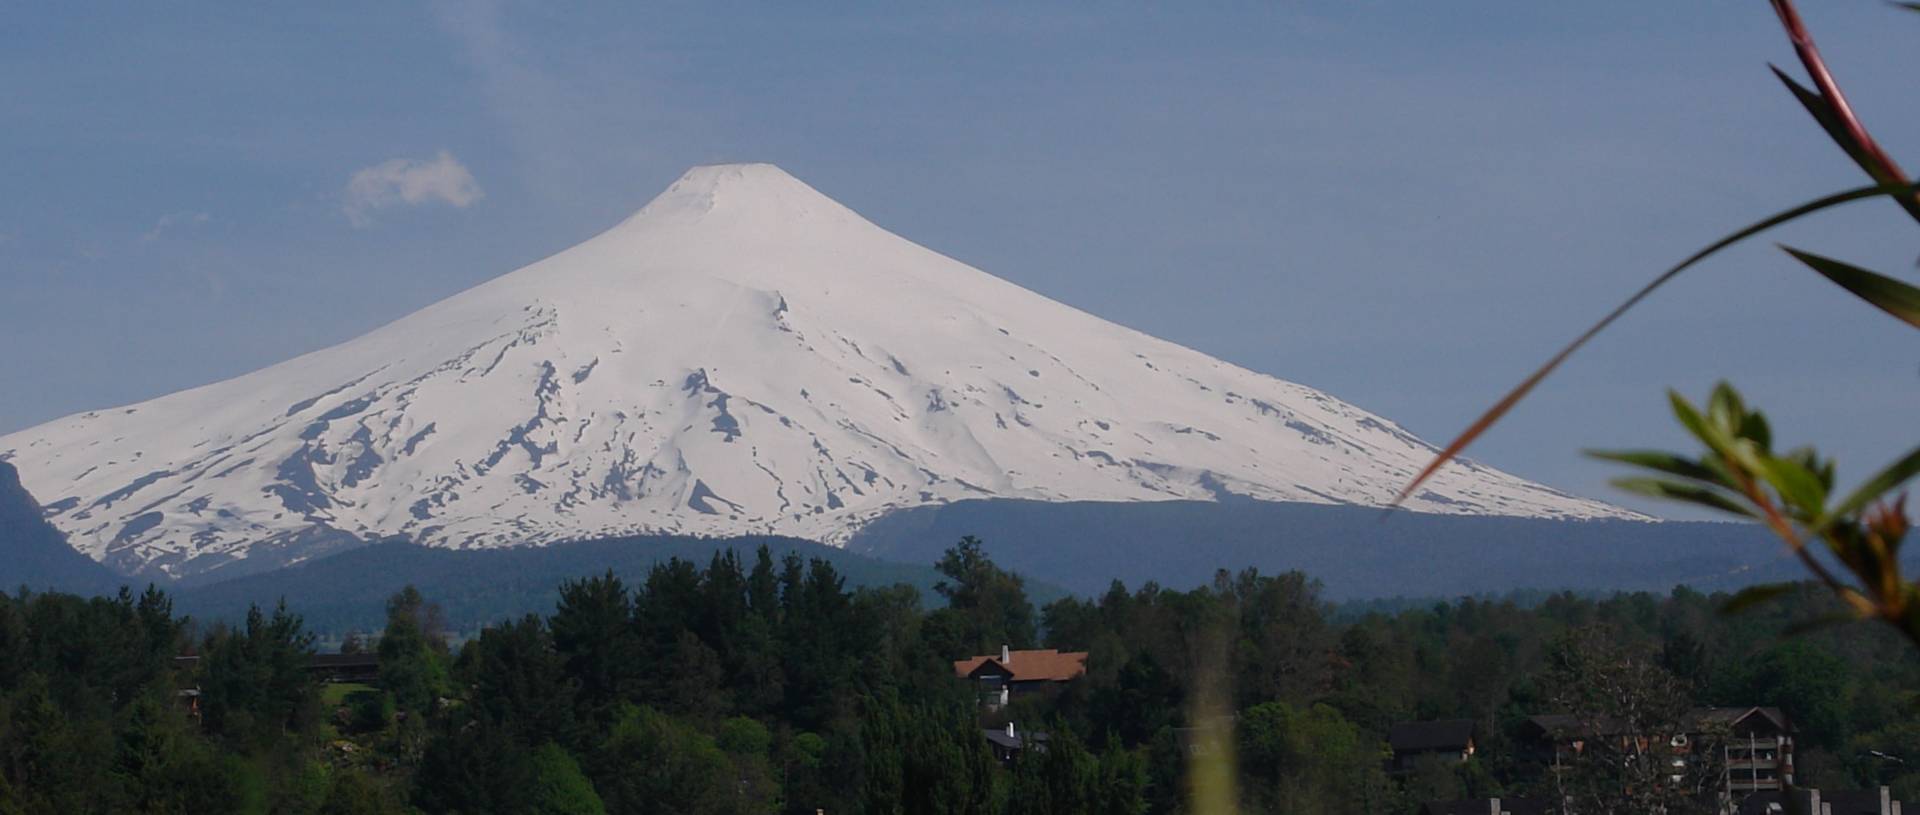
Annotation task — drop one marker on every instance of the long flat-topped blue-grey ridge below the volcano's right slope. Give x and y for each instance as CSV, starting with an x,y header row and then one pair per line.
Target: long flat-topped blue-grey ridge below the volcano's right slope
x,y
1358,553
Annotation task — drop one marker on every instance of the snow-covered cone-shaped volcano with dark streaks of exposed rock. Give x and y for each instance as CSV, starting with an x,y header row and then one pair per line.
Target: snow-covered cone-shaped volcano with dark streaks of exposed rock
x,y
740,357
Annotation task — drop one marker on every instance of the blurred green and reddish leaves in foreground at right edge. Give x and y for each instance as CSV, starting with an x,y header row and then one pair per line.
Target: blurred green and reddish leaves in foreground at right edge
x,y
1848,541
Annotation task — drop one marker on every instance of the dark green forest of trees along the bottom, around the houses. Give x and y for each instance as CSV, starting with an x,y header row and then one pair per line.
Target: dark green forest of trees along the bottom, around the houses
x,y
761,683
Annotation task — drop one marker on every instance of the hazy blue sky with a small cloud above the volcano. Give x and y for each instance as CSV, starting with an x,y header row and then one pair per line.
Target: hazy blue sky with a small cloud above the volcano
x,y
1404,205
